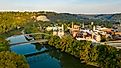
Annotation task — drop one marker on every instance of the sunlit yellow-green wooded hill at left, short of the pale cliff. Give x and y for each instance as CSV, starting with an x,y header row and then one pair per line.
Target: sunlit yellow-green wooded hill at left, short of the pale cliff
x,y
12,20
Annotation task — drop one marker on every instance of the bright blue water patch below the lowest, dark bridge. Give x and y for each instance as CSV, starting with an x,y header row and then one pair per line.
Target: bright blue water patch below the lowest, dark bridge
x,y
43,61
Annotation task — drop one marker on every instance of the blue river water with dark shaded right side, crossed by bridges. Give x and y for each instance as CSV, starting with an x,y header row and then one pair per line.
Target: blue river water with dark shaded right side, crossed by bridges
x,y
51,59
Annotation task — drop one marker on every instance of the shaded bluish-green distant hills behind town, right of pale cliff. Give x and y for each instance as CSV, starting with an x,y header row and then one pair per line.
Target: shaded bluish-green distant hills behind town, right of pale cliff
x,y
82,17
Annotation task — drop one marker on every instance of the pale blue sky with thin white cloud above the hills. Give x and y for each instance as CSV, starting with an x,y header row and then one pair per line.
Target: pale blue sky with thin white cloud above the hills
x,y
63,6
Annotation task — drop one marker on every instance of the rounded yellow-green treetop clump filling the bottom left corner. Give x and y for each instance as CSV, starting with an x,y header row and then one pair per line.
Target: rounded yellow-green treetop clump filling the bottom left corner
x,y
12,60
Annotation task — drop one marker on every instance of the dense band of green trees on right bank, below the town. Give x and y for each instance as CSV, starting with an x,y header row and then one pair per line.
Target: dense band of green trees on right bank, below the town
x,y
103,56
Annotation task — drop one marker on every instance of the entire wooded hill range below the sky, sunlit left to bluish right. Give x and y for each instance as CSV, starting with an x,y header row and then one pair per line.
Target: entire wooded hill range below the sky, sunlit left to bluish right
x,y
14,20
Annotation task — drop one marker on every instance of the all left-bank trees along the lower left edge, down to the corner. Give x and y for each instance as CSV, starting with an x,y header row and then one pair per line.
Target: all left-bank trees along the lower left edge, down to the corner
x,y
9,59
